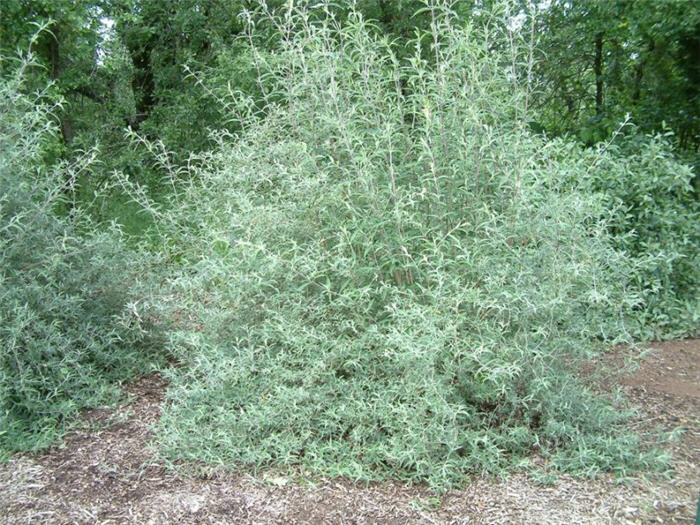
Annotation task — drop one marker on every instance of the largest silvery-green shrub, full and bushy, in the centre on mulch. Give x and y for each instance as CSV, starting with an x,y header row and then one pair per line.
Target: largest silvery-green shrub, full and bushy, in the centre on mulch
x,y
382,276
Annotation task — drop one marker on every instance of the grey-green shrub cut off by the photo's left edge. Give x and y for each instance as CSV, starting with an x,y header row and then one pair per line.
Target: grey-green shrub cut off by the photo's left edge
x,y
72,322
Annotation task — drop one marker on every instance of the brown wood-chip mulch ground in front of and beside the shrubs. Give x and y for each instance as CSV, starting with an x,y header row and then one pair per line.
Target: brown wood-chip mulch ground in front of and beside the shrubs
x,y
105,473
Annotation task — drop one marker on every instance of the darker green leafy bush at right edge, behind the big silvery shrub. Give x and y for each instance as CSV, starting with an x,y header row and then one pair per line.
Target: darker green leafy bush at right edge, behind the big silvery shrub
x,y
658,225
